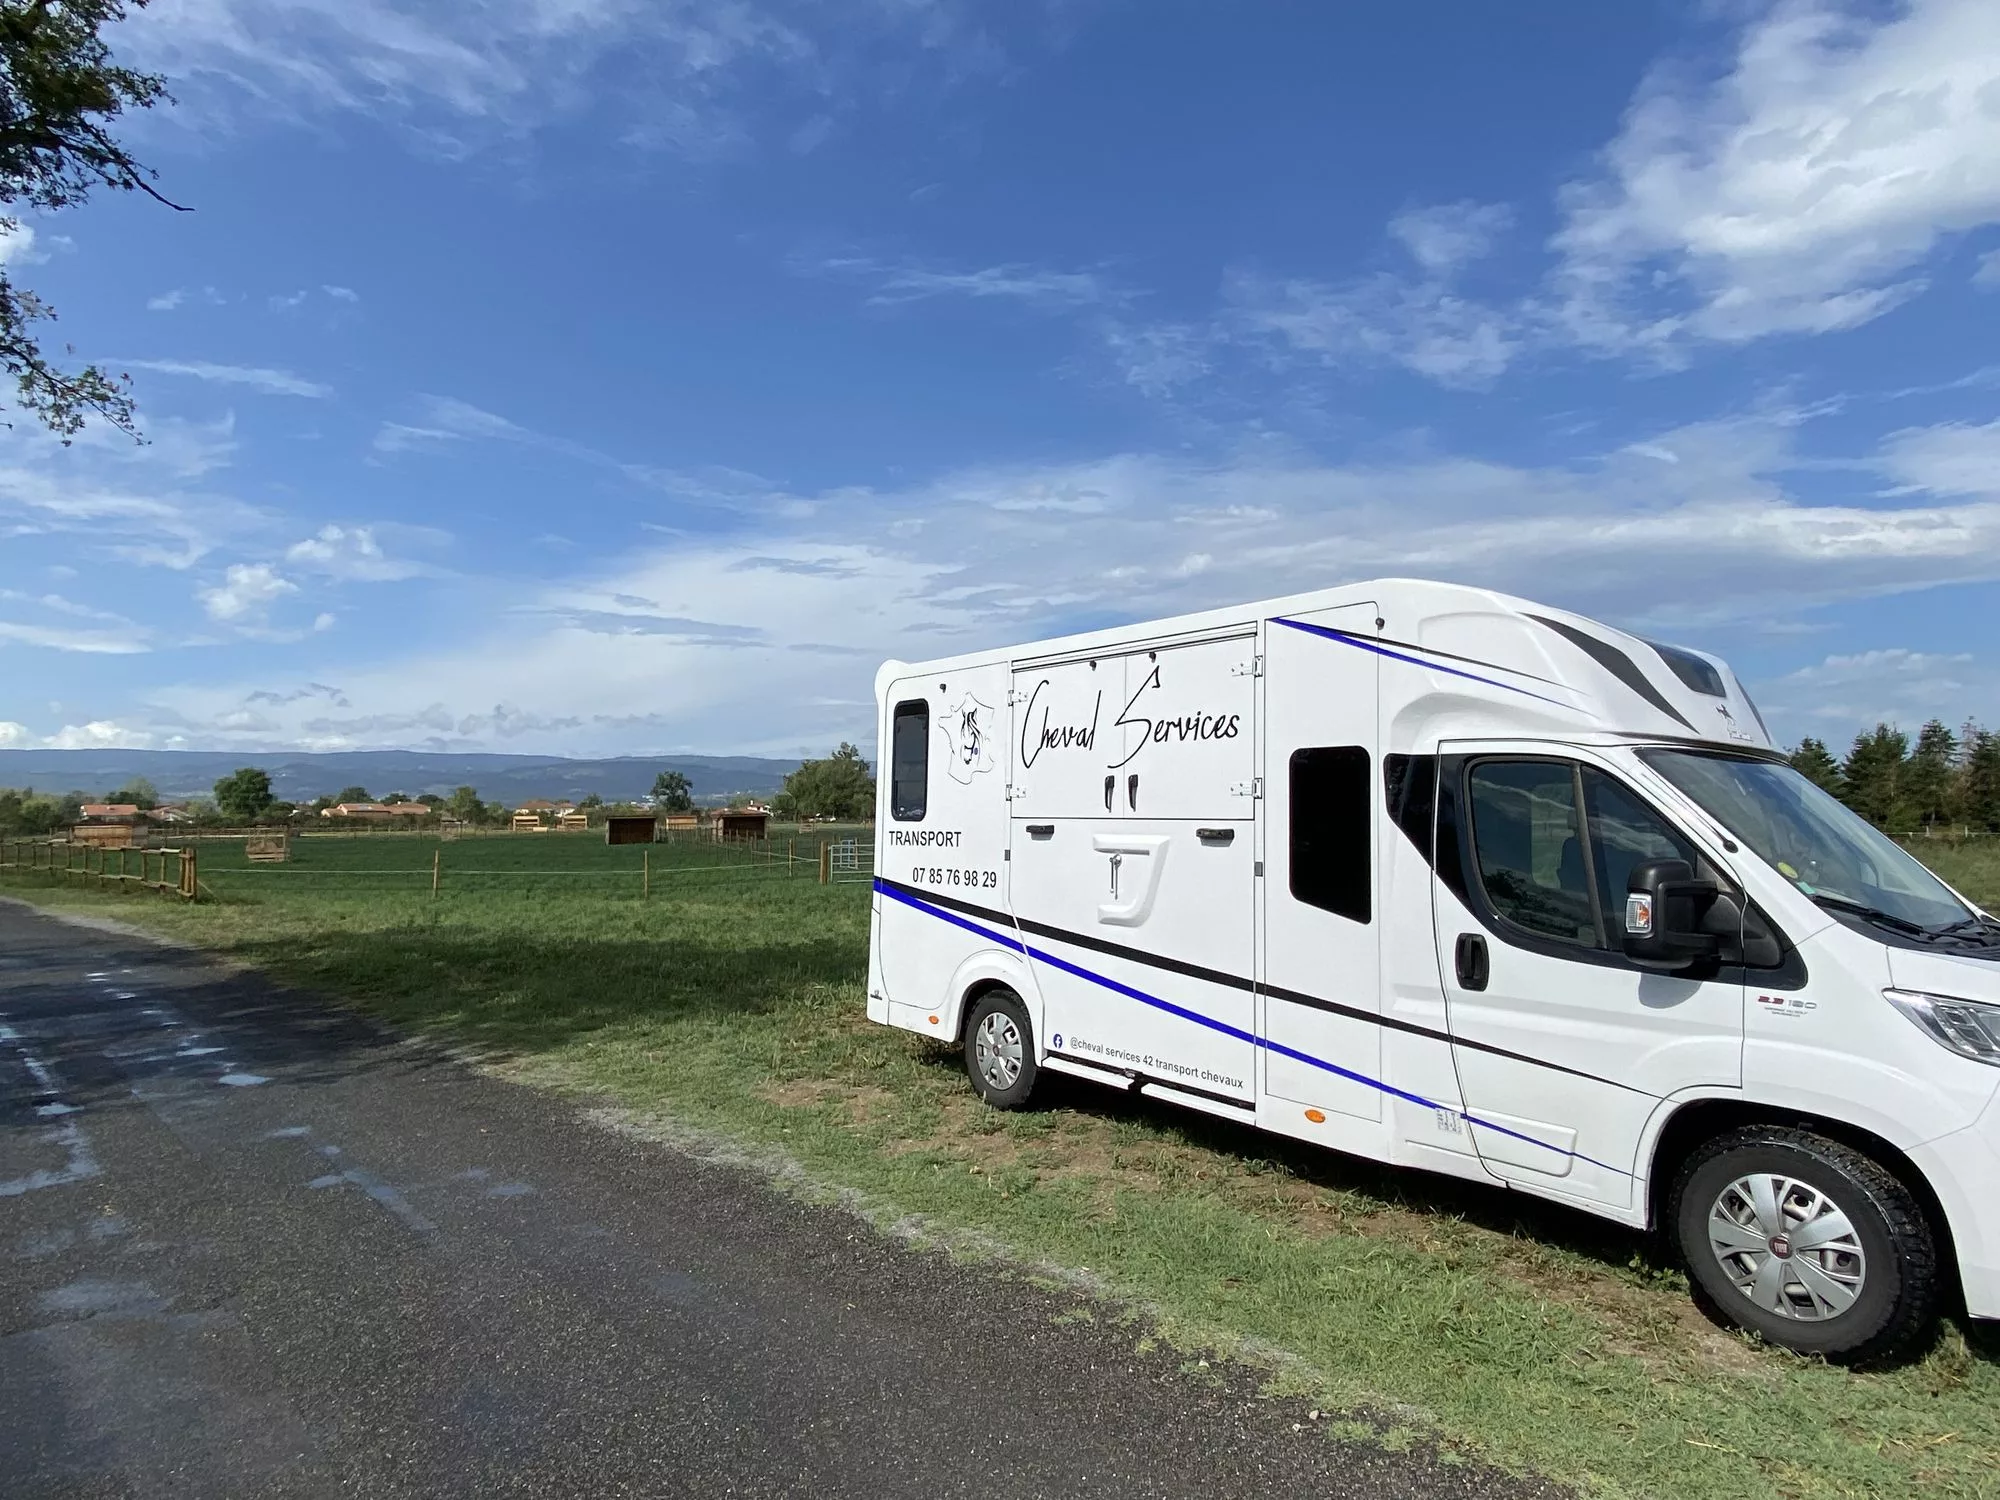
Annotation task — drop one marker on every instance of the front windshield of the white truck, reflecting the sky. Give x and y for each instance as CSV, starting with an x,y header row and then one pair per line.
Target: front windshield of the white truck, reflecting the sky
x,y
1811,839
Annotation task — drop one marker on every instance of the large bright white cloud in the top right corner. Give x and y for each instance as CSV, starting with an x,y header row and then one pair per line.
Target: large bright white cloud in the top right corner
x,y
1797,193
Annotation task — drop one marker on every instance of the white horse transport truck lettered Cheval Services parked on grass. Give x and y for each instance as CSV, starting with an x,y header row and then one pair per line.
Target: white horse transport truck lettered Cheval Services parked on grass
x,y
1453,881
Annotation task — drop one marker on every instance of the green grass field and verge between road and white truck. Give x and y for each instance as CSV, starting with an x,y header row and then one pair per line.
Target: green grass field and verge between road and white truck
x,y
733,1001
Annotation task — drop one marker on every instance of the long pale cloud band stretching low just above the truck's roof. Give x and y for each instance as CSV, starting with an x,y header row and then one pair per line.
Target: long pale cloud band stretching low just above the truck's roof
x,y
769,643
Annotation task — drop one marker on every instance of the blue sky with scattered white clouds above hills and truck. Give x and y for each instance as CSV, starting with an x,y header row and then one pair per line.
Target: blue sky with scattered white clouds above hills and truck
x,y
609,377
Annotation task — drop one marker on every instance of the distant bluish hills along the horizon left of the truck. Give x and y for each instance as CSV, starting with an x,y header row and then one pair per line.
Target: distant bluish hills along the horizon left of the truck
x,y
305,777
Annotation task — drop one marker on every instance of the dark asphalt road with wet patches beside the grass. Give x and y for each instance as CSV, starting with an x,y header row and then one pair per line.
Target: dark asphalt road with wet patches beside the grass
x,y
251,1245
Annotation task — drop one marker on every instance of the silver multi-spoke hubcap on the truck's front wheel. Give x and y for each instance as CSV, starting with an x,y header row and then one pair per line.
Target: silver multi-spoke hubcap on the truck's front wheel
x,y
1787,1247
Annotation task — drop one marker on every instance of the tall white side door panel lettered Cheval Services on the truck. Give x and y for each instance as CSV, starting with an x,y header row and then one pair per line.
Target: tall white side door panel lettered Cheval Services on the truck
x,y
1135,839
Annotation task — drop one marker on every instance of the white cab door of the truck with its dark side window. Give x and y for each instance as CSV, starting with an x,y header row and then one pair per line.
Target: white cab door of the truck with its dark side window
x,y
1563,1045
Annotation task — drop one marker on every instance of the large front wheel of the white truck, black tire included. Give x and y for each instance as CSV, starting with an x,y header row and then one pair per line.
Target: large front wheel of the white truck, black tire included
x,y
1859,1293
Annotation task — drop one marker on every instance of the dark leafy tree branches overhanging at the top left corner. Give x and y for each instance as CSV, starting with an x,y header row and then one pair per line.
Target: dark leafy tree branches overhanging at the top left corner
x,y
59,97
